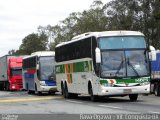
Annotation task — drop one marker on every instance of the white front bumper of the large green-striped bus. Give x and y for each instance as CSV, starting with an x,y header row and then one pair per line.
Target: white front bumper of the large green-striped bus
x,y
107,91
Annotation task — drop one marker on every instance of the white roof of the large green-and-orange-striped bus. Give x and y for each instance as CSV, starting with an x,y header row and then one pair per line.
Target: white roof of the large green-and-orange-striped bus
x,y
102,34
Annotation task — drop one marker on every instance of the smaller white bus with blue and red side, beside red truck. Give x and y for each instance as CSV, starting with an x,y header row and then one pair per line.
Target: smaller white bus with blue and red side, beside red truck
x,y
38,72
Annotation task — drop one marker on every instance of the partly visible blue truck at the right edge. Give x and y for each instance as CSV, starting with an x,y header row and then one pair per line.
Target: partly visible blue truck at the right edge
x,y
155,74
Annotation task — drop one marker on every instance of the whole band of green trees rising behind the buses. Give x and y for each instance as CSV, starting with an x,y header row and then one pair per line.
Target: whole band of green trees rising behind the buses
x,y
138,15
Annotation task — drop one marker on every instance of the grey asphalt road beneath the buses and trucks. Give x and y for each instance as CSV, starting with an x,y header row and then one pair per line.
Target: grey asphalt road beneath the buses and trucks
x,y
22,103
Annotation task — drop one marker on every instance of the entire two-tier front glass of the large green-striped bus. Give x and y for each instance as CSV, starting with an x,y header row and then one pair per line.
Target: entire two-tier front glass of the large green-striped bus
x,y
123,56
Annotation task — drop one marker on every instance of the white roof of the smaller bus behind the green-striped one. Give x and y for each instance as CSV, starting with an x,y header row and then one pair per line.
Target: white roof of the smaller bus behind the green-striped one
x,y
41,53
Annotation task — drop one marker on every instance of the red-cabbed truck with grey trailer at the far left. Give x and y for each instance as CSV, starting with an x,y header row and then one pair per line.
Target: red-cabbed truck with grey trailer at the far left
x,y
11,73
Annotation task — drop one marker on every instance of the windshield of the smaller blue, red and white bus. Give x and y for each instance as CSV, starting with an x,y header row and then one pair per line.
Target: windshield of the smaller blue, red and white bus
x,y
47,69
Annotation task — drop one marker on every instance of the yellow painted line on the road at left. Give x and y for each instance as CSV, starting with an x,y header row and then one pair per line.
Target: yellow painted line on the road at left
x,y
29,99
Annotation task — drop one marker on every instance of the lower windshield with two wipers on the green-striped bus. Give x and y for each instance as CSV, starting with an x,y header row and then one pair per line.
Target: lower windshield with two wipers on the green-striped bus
x,y
124,63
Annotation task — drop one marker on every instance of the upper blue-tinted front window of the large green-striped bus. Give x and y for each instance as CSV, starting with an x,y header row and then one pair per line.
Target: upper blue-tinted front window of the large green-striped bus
x,y
121,42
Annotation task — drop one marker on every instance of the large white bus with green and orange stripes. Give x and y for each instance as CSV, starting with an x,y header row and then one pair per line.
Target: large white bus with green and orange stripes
x,y
103,64
